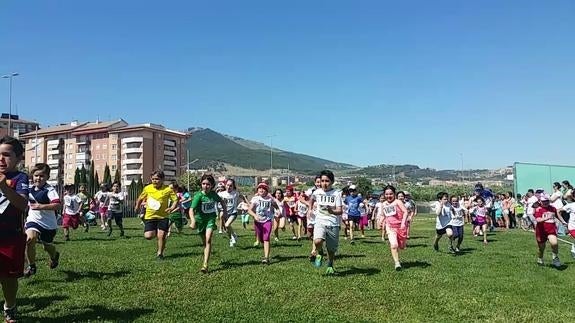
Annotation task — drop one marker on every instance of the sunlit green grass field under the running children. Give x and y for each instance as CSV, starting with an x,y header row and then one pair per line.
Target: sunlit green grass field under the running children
x,y
103,279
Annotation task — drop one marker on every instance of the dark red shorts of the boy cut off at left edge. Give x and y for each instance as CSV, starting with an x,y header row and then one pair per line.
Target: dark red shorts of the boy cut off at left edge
x,y
12,256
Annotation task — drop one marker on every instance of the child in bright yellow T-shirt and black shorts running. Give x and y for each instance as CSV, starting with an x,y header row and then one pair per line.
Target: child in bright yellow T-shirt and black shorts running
x,y
157,196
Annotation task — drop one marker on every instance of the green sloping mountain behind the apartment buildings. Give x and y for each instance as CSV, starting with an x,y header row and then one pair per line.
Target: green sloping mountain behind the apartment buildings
x,y
216,151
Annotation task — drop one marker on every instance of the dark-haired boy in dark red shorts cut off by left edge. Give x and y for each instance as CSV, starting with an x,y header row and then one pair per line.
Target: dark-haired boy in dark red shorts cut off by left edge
x,y
13,203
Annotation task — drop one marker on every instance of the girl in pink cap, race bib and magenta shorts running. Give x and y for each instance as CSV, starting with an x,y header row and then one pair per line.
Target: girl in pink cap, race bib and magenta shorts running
x,y
261,209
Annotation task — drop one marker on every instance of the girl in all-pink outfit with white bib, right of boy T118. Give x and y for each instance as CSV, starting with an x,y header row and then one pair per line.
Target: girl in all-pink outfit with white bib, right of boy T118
x,y
395,215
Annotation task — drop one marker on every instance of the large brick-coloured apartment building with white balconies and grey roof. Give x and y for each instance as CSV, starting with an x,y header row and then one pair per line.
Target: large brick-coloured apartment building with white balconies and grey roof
x,y
134,150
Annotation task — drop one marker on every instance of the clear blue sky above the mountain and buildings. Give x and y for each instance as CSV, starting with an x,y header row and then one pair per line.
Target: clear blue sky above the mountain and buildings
x,y
431,83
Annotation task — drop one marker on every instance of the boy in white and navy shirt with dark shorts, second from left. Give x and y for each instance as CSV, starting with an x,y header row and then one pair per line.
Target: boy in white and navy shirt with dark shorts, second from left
x,y
41,223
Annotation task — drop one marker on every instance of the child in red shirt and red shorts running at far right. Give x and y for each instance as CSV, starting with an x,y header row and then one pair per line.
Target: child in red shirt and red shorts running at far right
x,y
546,230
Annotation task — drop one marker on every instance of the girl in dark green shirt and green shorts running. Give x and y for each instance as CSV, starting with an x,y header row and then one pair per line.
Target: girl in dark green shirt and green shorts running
x,y
204,214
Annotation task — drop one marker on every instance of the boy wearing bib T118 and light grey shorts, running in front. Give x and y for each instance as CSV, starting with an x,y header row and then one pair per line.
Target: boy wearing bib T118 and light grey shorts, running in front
x,y
327,219
